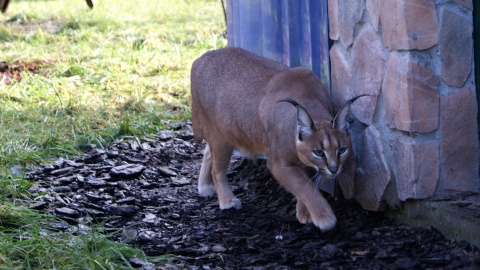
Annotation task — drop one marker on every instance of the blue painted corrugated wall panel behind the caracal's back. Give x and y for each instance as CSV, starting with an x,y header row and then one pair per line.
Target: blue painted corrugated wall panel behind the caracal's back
x,y
293,32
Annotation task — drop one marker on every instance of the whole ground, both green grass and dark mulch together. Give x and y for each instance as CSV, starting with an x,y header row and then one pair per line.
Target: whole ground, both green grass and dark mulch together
x,y
123,69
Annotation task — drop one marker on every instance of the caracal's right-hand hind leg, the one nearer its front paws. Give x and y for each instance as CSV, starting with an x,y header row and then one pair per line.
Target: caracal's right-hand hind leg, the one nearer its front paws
x,y
221,154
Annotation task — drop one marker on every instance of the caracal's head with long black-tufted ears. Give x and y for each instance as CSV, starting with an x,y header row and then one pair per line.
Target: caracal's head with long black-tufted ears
x,y
326,146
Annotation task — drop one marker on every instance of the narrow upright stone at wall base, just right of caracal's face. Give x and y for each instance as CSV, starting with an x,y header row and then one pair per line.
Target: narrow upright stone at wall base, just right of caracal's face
x,y
373,173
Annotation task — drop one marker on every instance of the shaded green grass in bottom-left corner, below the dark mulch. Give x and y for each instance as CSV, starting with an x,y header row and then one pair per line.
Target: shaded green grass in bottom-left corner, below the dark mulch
x,y
26,244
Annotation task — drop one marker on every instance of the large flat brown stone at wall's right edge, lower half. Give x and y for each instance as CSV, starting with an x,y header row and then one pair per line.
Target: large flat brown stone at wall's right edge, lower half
x,y
459,147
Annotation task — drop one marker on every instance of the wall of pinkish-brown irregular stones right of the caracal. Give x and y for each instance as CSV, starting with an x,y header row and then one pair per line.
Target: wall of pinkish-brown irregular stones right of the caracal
x,y
419,132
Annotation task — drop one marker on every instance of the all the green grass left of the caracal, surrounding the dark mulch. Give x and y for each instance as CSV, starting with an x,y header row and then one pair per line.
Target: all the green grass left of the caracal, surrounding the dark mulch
x,y
119,69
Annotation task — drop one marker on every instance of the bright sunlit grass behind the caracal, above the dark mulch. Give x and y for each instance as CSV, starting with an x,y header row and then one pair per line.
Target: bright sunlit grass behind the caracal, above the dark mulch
x,y
121,60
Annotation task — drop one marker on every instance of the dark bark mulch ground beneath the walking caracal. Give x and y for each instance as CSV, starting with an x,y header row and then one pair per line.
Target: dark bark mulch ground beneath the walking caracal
x,y
146,191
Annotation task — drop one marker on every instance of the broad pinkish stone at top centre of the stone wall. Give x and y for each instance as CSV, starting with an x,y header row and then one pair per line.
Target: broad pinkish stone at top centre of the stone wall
x,y
408,24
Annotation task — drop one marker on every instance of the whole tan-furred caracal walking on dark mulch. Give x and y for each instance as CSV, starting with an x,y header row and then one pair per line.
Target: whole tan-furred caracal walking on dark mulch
x,y
245,102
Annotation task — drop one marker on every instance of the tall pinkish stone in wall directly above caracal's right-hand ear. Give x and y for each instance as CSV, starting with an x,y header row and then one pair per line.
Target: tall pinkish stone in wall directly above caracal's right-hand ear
x,y
368,60
